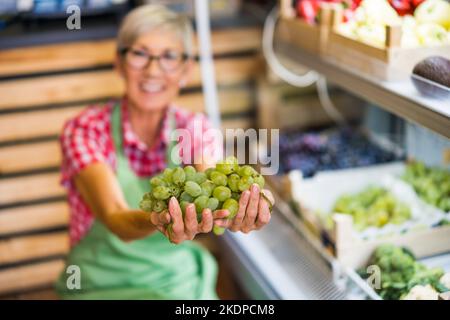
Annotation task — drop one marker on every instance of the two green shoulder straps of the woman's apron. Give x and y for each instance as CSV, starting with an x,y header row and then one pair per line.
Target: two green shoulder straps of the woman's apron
x,y
116,125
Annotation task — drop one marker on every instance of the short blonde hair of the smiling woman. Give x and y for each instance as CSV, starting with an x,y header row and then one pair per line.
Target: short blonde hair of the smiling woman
x,y
149,17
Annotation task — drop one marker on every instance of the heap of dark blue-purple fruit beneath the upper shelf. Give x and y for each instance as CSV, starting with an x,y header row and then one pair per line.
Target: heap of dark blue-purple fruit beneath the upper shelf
x,y
316,151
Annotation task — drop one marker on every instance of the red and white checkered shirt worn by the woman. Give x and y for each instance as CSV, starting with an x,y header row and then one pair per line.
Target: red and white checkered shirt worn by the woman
x,y
87,139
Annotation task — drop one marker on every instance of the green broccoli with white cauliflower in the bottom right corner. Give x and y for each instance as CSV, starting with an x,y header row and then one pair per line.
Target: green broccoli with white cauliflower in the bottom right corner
x,y
403,277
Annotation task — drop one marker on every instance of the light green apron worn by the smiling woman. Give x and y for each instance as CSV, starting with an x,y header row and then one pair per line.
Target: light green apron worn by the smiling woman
x,y
150,268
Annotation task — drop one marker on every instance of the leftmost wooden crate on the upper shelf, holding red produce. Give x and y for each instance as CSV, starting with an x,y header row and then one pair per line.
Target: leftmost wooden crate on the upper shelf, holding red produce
x,y
309,37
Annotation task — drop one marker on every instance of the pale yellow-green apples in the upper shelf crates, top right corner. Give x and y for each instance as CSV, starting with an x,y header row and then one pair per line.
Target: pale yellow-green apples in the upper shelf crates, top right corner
x,y
426,24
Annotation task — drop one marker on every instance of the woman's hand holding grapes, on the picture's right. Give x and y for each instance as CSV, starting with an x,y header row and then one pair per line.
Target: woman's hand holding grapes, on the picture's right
x,y
253,214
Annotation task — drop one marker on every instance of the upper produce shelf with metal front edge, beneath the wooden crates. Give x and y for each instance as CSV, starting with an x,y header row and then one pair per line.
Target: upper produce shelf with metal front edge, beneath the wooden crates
x,y
400,97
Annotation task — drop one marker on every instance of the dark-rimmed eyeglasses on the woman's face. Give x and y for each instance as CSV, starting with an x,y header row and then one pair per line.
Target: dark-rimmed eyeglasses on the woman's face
x,y
168,61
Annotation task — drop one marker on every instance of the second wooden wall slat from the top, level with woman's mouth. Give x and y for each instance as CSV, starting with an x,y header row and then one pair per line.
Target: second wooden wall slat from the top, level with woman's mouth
x,y
41,91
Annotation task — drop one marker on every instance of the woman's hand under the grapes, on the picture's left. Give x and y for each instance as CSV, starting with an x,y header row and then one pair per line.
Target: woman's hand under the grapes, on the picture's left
x,y
178,229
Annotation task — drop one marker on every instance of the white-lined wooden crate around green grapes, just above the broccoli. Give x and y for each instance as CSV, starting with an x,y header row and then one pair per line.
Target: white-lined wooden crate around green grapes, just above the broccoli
x,y
350,250
